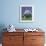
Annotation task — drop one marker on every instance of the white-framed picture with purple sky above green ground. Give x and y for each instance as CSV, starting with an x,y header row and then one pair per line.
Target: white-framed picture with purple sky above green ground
x,y
26,13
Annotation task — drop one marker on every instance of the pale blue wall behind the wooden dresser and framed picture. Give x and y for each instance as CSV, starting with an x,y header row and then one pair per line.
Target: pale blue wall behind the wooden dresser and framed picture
x,y
10,13
